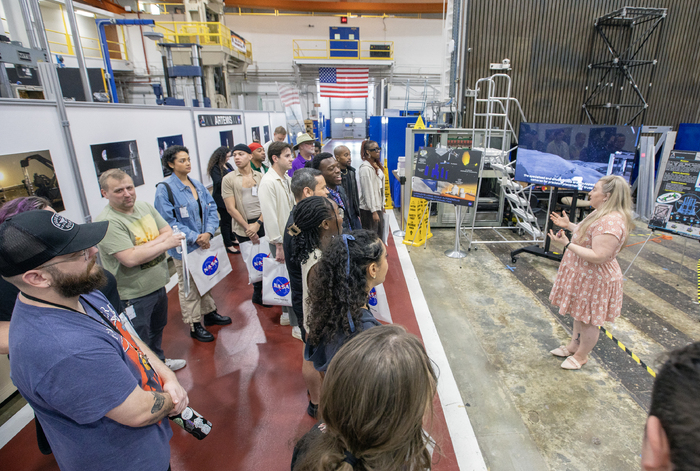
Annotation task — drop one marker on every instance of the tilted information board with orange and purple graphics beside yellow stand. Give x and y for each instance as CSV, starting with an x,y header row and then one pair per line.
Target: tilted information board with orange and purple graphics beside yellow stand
x,y
447,175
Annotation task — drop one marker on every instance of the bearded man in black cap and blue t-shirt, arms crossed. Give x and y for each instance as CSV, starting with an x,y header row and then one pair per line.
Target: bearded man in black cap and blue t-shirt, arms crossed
x,y
100,393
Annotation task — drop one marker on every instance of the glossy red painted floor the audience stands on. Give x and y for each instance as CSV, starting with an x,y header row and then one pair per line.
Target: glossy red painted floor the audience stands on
x,y
248,383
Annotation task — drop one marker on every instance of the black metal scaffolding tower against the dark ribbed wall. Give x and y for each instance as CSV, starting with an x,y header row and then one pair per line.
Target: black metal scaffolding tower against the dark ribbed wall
x,y
613,95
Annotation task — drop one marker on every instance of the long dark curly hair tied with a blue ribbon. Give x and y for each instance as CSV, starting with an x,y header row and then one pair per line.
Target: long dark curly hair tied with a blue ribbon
x,y
339,286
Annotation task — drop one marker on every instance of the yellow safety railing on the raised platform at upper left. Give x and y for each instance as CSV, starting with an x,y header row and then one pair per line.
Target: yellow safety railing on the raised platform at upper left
x,y
205,34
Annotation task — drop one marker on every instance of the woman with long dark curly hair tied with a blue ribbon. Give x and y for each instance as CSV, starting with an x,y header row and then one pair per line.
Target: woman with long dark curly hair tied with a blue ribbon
x,y
339,289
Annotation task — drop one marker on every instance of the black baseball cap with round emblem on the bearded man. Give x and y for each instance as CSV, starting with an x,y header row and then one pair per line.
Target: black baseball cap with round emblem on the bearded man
x,y
32,238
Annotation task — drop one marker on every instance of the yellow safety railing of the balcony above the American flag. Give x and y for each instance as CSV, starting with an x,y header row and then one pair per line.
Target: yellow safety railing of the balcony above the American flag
x,y
355,50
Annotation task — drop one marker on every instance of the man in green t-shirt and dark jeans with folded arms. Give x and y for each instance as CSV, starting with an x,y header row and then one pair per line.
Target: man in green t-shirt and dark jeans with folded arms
x,y
133,250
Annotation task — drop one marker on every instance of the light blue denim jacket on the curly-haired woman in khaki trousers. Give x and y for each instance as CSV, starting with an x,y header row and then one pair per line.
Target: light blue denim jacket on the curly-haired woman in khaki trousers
x,y
185,204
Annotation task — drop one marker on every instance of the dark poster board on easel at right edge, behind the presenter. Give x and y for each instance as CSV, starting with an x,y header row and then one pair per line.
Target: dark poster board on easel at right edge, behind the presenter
x,y
677,207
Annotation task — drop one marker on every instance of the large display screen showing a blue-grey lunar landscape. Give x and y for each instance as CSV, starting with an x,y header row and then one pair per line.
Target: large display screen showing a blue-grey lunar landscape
x,y
574,156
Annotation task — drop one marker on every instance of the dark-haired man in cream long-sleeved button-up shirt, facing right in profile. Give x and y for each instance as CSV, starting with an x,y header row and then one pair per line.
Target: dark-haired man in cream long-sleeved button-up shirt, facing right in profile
x,y
276,203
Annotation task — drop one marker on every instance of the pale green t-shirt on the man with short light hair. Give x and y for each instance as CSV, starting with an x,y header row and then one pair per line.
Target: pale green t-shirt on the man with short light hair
x,y
130,230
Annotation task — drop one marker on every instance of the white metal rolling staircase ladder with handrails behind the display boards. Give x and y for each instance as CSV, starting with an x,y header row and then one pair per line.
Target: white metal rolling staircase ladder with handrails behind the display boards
x,y
491,117
